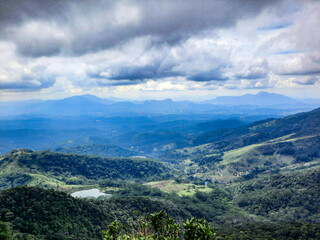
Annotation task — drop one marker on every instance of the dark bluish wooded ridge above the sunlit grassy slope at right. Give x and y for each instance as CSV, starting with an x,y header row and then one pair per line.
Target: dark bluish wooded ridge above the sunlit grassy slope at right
x,y
302,124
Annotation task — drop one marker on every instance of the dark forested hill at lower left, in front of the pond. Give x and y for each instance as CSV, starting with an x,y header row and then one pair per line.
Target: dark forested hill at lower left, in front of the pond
x,y
36,213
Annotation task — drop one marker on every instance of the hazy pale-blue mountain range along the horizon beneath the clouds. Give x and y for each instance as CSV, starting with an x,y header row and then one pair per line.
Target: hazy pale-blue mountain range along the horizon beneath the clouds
x,y
268,104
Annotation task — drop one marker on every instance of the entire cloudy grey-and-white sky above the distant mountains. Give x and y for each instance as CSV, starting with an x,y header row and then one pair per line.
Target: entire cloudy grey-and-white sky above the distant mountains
x,y
179,49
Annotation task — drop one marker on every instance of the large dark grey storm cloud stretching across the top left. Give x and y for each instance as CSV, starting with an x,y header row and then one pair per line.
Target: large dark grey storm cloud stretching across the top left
x,y
79,27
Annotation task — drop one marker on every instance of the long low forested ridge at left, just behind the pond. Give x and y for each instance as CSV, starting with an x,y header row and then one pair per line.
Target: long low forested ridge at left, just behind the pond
x,y
21,166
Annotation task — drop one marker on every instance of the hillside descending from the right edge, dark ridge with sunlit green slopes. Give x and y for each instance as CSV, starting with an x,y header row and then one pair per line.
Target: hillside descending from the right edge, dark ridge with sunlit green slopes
x,y
262,148
